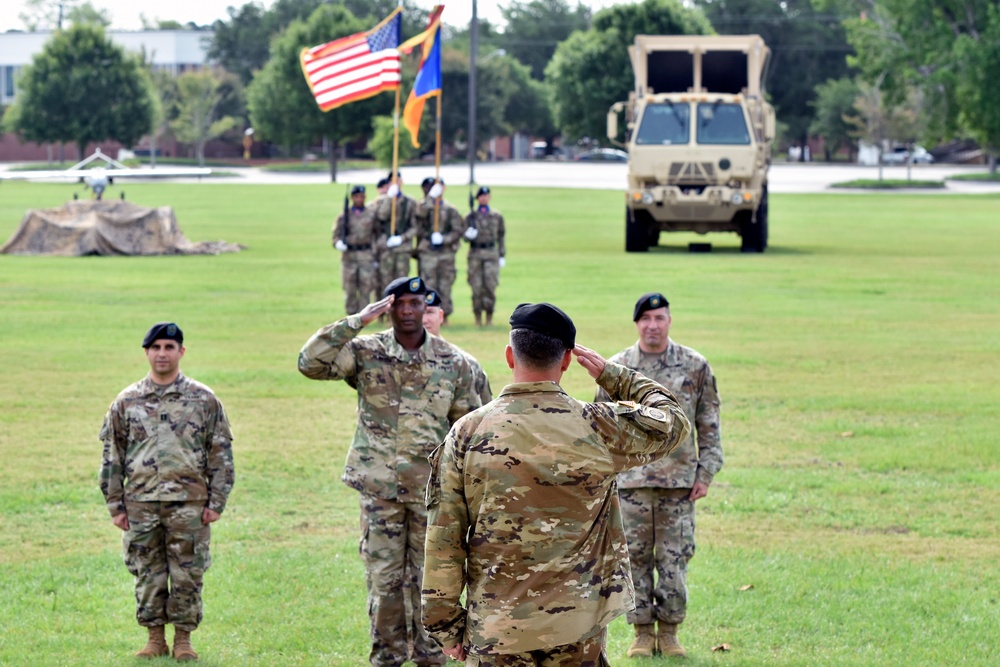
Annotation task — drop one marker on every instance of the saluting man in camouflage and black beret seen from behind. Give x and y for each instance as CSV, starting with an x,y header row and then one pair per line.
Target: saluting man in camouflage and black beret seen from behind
x,y
523,505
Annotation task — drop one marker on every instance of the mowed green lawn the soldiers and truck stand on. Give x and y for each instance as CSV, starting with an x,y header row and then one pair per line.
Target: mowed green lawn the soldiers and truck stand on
x,y
855,521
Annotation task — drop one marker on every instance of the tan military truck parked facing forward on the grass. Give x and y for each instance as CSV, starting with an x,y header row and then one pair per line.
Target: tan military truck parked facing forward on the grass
x,y
699,135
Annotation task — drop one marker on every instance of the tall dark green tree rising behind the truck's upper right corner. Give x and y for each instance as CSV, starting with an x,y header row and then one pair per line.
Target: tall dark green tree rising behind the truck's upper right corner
x,y
808,46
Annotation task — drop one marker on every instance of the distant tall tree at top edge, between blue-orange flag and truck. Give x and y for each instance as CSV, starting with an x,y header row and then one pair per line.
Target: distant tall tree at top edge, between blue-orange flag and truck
x,y
536,27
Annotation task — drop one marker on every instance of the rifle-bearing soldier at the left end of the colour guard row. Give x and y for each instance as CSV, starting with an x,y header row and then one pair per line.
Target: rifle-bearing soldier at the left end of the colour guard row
x,y
355,235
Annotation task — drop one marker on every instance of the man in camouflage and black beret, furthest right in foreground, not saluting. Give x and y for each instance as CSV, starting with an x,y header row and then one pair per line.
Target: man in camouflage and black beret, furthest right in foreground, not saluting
x,y
658,499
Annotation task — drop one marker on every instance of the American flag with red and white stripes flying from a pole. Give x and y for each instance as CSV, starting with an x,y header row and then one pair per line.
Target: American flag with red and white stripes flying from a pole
x,y
356,67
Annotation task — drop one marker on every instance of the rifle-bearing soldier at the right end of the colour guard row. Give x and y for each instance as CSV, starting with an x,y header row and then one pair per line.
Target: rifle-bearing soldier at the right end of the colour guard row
x,y
487,255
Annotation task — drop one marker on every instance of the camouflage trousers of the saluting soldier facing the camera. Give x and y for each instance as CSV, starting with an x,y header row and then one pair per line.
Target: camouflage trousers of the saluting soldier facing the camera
x,y
392,548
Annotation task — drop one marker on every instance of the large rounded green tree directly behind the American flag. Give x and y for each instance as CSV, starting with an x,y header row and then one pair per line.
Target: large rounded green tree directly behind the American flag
x,y
282,107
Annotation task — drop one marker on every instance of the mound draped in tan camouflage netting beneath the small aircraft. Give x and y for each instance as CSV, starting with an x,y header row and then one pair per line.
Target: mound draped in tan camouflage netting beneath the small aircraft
x,y
106,228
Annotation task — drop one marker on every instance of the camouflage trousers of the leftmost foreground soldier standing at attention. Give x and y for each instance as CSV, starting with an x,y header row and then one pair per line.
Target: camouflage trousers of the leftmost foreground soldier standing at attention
x,y
166,548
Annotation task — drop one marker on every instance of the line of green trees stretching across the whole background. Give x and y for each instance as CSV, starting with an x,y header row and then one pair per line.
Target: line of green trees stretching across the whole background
x,y
888,71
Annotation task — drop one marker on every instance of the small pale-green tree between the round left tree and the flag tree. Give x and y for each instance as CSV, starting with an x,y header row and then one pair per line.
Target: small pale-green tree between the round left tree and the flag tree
x,y
201,96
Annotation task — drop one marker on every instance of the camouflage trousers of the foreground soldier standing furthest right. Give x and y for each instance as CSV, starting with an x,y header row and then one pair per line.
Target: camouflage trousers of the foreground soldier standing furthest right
x,y
659,525
